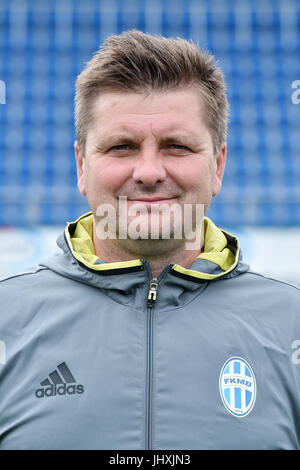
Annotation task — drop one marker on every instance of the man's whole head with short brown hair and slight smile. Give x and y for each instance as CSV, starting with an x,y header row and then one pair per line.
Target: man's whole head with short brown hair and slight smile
x,y
151,126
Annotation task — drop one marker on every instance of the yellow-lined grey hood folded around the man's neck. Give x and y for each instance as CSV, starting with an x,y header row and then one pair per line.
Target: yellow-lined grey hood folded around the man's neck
x,y
221,256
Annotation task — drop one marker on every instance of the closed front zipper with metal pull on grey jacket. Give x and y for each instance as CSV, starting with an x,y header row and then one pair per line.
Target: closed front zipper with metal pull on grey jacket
x,y
152,294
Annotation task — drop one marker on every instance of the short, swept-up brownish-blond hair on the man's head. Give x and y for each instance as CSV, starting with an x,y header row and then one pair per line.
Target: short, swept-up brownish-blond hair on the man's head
x,y
142,63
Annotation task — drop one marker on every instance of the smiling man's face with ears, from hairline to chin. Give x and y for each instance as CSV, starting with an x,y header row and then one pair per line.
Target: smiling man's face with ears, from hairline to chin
x,y
154,149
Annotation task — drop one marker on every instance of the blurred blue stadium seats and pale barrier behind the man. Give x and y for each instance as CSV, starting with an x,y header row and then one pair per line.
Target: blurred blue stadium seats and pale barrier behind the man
x,y
45,44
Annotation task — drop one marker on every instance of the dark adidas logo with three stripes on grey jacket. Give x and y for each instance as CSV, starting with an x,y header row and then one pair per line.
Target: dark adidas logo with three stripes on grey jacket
x,y
60,382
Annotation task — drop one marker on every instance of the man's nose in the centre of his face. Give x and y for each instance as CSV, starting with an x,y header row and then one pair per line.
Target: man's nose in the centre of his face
x,y
150,168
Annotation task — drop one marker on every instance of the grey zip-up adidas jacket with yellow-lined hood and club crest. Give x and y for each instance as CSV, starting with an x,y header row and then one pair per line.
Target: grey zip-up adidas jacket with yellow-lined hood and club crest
x,y
106,357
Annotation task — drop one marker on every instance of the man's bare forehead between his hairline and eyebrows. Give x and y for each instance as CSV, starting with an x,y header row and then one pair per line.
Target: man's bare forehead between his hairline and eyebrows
x,y
179,110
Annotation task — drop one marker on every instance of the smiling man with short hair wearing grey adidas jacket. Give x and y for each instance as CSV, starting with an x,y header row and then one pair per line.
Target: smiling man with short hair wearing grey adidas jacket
x,y
131,339
